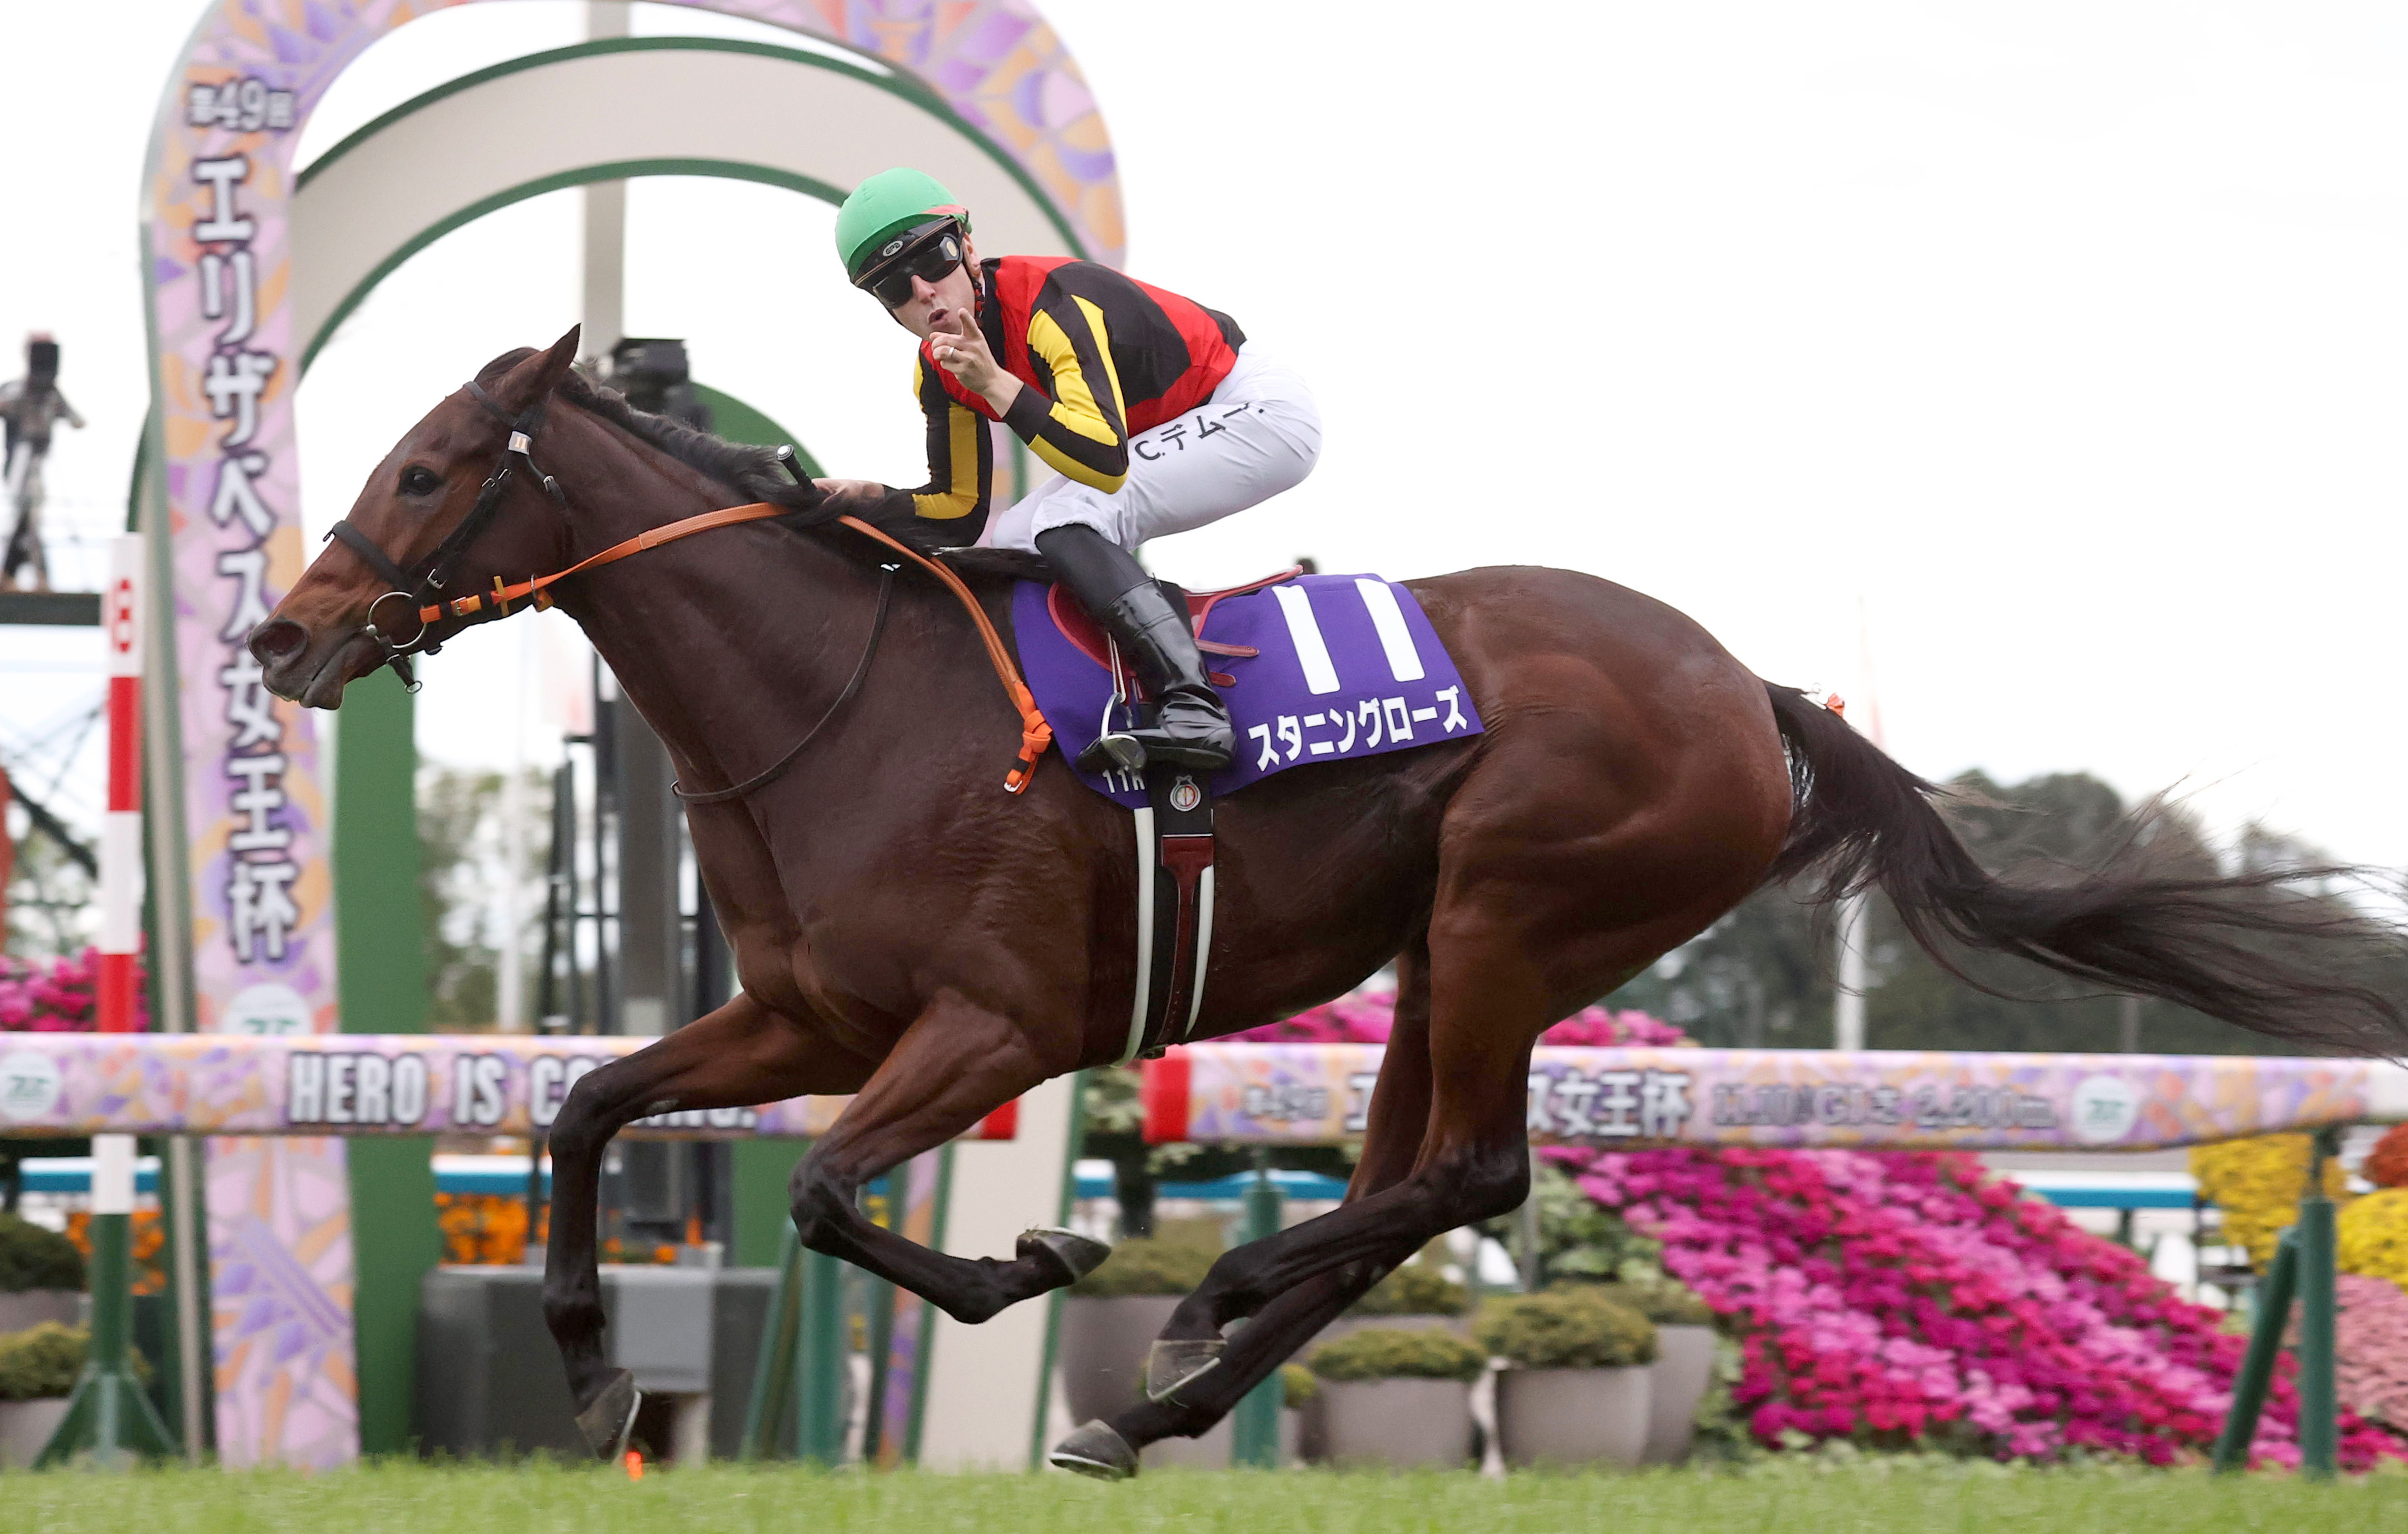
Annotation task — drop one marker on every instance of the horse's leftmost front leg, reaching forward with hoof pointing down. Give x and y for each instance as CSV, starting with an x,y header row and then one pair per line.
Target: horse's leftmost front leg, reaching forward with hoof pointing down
x,y
736,1058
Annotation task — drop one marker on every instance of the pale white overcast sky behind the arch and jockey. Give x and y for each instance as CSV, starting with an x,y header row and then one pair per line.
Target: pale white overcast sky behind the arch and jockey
x,y
2067,338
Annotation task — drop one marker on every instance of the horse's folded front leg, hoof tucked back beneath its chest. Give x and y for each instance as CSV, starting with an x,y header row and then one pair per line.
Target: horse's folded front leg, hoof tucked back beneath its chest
x,y
952,1068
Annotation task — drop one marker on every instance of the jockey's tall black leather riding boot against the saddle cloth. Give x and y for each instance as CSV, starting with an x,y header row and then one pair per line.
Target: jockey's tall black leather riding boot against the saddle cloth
x,y
1191,728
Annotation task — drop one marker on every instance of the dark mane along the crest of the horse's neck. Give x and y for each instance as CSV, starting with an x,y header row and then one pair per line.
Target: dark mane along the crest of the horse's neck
x,y
755,473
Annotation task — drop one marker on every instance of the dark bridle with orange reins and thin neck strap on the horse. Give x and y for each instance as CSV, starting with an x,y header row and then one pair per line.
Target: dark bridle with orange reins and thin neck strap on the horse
x,y
423,591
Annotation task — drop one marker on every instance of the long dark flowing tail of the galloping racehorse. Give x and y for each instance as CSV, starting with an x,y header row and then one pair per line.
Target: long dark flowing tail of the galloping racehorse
x,y
2253,950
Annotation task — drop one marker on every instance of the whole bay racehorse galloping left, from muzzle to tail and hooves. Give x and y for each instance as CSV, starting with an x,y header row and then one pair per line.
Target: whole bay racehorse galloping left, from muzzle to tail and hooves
x,y
909,933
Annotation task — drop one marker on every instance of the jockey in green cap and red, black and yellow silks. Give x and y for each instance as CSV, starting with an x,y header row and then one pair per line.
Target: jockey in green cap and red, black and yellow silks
x,y
1155,413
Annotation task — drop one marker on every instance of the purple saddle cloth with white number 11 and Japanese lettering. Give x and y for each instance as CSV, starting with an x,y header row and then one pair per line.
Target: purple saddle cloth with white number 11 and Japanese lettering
x,y
1347,668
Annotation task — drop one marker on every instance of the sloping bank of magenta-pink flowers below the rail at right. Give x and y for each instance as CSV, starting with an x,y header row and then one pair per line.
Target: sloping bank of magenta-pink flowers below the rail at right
x,y
1904,1297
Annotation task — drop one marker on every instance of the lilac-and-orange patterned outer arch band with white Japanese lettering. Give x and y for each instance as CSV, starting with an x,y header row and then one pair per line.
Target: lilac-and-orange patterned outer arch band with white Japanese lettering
x,y
254,803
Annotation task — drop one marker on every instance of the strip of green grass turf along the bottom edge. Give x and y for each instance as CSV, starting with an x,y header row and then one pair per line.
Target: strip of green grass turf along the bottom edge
x,y
541,1499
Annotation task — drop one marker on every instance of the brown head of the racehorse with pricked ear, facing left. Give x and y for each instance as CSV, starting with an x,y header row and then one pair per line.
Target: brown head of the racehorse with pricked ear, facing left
x,y
437,512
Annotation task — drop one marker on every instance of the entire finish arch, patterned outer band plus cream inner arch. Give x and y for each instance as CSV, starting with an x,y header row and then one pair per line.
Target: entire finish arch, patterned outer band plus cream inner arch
x,y
247,271
